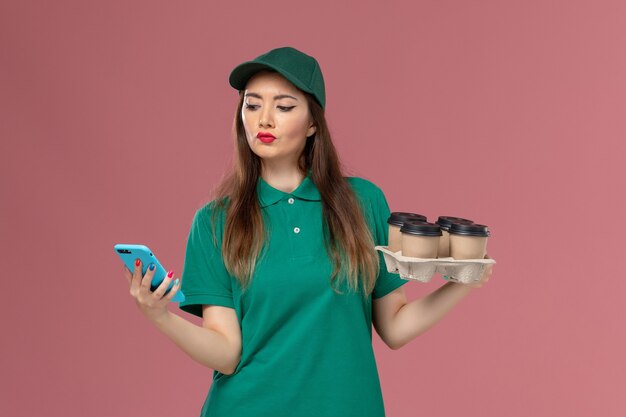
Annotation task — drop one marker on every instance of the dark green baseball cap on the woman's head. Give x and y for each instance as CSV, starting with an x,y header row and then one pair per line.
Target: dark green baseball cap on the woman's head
x,y
300,69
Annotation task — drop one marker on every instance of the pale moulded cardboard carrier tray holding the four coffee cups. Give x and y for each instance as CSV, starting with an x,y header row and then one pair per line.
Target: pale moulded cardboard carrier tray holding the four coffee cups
x,y
464,271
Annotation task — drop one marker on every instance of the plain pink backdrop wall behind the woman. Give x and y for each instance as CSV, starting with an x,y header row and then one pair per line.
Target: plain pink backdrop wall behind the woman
x,y
115,122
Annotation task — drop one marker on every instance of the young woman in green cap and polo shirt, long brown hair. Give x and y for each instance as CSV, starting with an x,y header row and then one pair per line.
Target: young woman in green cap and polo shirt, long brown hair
x,y
281,264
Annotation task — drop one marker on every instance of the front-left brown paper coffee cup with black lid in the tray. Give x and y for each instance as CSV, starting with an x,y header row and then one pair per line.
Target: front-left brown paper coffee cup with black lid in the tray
x,y
420,239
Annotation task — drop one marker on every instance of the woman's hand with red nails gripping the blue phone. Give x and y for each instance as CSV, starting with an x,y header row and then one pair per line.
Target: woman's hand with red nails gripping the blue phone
x,y
152,304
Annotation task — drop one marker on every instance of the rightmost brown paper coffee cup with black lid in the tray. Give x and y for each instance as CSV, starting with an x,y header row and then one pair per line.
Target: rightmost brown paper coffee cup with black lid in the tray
x,y
468,241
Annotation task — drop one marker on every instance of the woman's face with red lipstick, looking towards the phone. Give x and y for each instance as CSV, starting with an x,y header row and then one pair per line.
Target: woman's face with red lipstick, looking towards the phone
x,y
274,106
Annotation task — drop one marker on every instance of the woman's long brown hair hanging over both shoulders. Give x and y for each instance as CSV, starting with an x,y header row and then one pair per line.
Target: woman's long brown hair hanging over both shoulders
x,y
347,238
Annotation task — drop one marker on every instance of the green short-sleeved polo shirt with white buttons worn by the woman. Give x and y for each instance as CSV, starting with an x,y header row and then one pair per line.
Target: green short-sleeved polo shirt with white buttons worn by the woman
x,y
306,350
